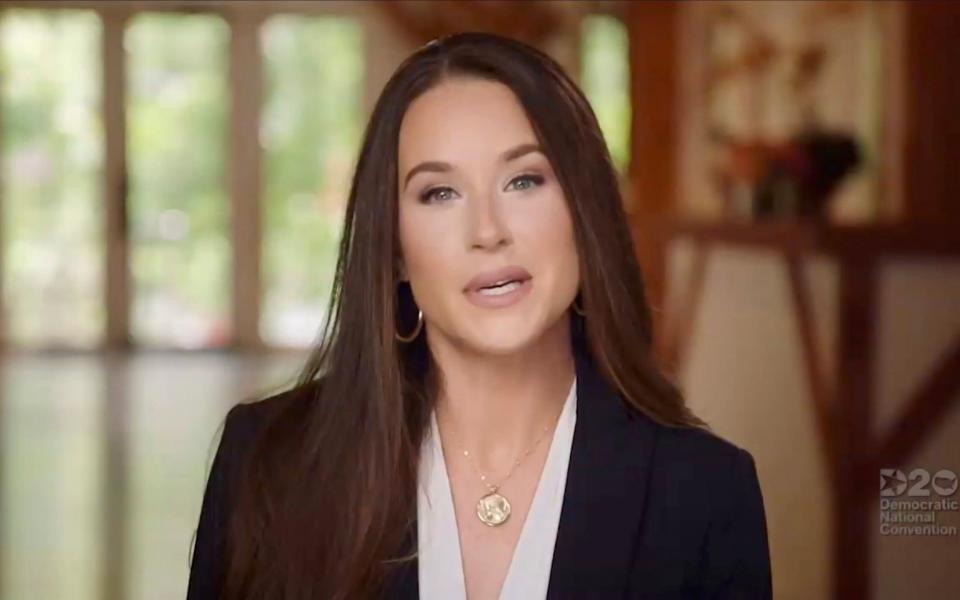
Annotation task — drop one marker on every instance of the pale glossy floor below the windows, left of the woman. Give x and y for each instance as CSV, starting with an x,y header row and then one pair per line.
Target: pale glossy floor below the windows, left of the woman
x,y
103,461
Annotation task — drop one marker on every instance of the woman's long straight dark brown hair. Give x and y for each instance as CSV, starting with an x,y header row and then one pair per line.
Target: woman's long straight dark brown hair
x,y
329,491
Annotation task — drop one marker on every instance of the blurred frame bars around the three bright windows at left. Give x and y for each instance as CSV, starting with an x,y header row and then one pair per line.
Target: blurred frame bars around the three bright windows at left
x,y
243,173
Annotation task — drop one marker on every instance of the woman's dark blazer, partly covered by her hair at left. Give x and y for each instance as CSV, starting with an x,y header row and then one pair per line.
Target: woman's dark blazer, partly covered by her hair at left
x,y
649,511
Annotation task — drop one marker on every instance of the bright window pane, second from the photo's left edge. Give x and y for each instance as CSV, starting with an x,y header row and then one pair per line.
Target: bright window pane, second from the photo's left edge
x,y
176,144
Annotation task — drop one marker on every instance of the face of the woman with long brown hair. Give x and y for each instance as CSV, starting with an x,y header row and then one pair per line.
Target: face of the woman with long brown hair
x,y
480,204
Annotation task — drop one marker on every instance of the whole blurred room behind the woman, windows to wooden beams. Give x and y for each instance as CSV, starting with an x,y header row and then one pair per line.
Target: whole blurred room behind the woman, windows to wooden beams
x,y
173,180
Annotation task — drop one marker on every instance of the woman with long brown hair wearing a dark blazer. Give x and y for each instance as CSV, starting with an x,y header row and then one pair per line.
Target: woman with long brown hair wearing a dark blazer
x,y
484,417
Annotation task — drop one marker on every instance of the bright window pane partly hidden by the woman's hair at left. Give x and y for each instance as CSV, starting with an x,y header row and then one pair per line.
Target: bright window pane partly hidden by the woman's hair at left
x,y
310,128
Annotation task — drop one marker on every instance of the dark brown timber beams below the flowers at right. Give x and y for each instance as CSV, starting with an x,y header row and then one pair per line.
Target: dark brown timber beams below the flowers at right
x,y
852,453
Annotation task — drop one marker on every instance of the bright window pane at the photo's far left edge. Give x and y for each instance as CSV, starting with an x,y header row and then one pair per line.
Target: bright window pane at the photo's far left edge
x,y
52,149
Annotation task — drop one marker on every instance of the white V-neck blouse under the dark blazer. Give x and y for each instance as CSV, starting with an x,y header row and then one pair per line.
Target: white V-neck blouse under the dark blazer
x,y
440,562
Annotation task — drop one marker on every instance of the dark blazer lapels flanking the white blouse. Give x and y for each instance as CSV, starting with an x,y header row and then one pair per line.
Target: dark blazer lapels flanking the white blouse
x,y
603,500
